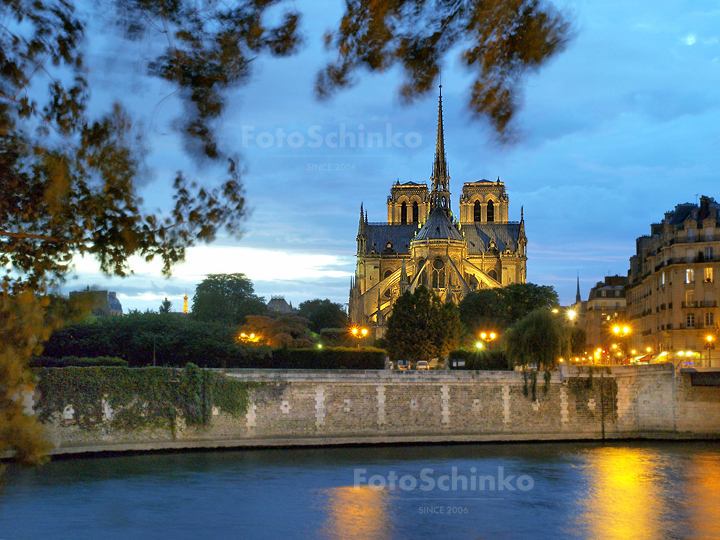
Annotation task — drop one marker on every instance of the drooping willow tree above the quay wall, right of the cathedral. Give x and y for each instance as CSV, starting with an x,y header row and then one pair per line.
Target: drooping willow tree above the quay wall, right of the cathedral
x,y
539,338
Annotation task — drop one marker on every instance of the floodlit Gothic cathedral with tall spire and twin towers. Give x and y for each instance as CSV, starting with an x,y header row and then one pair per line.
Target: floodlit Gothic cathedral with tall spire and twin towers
x,y
423,243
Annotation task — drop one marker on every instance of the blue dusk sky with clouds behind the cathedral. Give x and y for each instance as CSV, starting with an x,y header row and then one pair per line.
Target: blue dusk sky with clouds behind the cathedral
x,y
613,132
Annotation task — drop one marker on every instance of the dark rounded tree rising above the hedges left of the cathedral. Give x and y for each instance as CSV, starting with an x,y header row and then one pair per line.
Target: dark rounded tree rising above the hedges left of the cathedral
x,y
226,298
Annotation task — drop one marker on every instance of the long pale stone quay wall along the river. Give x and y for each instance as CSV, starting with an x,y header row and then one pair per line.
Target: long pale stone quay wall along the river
x,y
308,407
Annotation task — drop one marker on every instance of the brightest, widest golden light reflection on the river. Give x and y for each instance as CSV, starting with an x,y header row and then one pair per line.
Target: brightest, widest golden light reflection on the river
x,y
624,496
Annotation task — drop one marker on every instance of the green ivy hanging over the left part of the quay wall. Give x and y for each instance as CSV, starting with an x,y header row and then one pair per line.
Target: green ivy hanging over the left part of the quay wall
x,y
148,397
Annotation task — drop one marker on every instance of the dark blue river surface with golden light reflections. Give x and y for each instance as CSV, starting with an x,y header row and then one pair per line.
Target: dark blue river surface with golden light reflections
x,y
534,491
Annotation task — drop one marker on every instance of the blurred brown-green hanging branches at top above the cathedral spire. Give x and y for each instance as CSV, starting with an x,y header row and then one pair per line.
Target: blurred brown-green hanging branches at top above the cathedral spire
x,y
500,41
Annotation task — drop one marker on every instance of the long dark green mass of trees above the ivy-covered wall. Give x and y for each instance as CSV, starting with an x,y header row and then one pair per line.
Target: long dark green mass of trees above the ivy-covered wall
x,y
136,337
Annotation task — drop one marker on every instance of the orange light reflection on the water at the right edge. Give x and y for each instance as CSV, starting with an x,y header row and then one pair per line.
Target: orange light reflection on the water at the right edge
x,y
703,502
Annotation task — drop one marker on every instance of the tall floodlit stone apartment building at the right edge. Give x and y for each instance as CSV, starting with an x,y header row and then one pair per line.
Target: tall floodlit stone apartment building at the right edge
x,y
672,292
